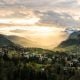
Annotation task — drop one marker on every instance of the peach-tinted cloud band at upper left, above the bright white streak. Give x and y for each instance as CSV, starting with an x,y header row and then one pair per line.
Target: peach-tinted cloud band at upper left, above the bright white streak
x,y
16,13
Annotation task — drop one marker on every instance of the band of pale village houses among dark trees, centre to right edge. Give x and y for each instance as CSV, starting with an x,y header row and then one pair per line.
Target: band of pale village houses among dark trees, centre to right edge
x,y
69,61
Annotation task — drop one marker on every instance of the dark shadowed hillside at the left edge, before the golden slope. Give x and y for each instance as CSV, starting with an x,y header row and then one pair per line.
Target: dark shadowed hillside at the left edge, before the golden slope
x,y
4,41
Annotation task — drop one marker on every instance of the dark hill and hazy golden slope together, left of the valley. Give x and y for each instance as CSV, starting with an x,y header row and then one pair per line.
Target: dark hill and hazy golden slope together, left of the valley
x,y
16,40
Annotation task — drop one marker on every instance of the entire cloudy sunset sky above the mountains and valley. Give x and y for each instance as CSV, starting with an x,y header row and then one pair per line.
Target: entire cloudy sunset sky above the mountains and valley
x,y
42,20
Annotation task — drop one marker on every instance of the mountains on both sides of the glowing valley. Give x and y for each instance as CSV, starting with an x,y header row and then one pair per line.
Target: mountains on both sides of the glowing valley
x,y
72,44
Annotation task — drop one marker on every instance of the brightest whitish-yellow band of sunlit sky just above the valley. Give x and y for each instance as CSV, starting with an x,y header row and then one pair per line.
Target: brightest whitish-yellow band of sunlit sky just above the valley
x,y
37,30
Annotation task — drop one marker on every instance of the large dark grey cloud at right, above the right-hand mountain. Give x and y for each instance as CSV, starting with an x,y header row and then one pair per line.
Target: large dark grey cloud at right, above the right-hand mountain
x,y
58,19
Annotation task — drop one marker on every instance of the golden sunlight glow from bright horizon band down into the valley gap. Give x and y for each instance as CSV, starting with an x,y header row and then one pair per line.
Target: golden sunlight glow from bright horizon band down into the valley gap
x,y
42,35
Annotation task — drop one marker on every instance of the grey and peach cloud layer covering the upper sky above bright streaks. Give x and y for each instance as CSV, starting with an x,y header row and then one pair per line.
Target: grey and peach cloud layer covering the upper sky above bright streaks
x,y
60,12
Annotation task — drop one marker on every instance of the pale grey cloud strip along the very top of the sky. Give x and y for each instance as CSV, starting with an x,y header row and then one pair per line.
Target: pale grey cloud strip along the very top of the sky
x,y
40,4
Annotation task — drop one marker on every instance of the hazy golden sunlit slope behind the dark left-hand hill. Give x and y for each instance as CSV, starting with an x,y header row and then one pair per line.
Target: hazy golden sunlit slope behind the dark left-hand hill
x,y
22,41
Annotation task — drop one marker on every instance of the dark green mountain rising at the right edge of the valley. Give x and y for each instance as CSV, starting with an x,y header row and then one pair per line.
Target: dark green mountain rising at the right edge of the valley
x,y
71,44
